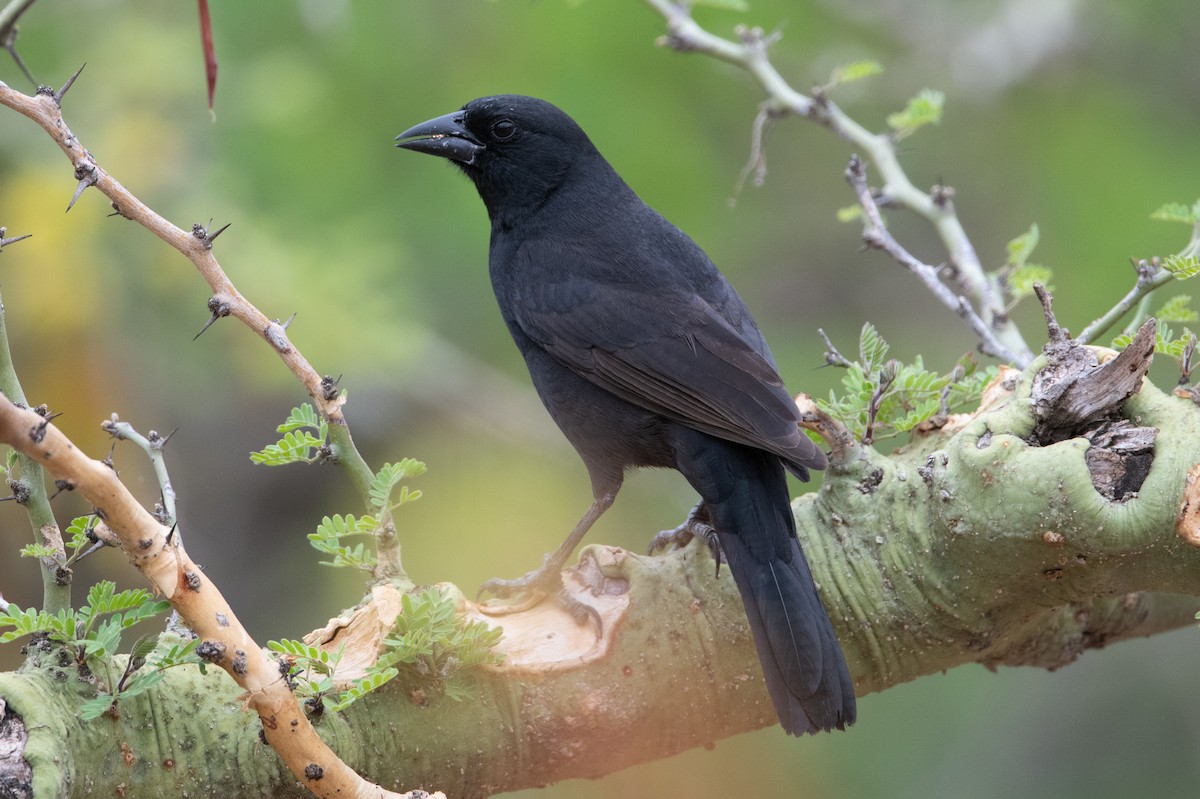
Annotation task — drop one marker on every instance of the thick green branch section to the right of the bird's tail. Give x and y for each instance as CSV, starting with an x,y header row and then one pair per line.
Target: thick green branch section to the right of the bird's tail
x,y
974,548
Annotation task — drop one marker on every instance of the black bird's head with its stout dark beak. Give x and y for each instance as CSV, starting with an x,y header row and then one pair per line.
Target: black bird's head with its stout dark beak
x,y
517,149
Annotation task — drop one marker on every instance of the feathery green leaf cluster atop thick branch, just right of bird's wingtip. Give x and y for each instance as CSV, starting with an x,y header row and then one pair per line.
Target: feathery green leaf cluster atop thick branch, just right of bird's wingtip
x,y
884,398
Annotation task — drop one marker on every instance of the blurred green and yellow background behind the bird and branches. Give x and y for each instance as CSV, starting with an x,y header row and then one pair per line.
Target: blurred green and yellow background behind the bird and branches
x,y
1081,116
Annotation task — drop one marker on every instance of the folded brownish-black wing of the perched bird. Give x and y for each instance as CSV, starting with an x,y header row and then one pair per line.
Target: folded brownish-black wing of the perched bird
x,y
676,352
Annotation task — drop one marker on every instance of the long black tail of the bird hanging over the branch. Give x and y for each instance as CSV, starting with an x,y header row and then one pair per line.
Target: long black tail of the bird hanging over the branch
x,y
746,495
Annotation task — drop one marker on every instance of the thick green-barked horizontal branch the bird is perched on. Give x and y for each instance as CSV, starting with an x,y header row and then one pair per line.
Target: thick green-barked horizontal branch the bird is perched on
x,y
976,544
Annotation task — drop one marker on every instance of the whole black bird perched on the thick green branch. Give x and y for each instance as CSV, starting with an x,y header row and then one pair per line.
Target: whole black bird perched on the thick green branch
x,y
646,357
